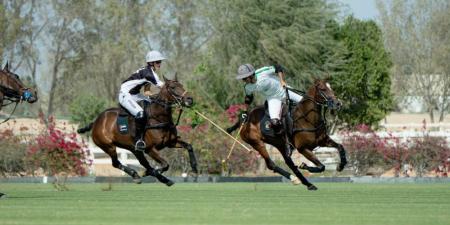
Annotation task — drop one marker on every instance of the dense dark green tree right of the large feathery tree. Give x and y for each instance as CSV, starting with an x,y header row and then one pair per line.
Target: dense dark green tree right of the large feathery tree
x,y
363,83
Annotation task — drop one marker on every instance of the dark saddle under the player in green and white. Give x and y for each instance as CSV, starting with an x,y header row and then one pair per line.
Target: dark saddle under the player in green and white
x,y
286,119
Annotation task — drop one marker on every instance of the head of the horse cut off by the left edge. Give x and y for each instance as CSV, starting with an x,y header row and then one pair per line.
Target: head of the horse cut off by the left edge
x,y
11,81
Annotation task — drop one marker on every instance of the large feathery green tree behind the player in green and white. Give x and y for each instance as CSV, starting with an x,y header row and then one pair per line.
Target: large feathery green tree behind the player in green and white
x,y
294,34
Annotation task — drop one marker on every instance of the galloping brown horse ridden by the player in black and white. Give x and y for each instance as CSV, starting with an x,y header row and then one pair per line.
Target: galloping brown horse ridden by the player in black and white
x,y
160,132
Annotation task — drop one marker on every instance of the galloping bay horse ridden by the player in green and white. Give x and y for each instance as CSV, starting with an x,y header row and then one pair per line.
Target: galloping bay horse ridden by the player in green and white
x,y
308,132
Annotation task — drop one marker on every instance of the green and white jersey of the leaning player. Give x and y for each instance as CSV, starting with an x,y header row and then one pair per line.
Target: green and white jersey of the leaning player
x,y
267,83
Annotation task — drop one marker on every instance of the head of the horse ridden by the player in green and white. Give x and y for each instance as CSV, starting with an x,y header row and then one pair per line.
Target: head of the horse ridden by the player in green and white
x,y
322,94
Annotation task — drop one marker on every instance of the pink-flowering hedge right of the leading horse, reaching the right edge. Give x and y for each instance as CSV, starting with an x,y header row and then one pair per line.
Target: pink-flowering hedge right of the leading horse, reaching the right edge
x,y
368,150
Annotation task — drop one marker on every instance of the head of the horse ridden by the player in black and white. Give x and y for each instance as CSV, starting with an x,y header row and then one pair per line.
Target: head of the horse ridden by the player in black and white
x,y
173,91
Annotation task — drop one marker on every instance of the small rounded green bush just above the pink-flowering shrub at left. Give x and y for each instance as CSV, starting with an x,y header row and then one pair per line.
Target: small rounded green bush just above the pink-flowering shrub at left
x,y
85,108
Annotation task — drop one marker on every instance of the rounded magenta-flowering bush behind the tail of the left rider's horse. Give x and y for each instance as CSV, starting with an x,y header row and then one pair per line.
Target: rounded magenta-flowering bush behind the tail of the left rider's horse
x,y
58,152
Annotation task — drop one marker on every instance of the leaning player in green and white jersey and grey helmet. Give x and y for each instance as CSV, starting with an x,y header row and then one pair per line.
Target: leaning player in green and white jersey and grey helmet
x,y
269,81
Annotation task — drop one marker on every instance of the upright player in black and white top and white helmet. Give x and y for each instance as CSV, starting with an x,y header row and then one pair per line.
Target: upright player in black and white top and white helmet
x,y
129,94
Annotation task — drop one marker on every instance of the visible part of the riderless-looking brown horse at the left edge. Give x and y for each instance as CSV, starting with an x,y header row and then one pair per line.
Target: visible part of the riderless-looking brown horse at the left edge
x,y
13,90
